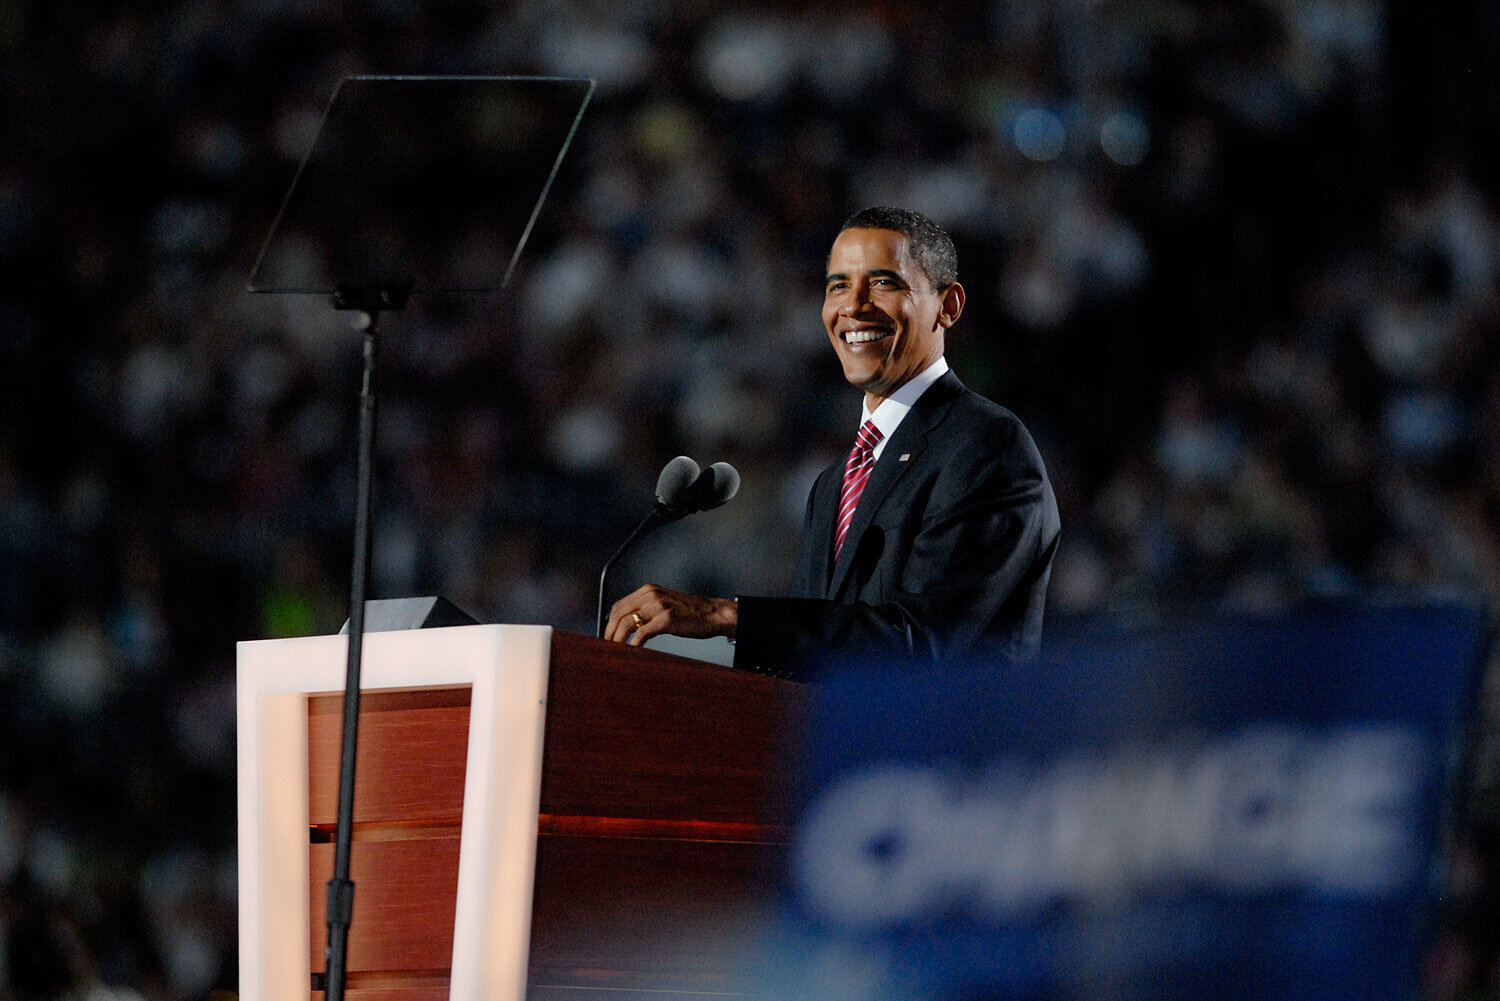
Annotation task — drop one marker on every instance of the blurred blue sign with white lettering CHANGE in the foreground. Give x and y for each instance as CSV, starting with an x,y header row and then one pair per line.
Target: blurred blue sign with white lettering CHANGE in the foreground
x,y
1240,810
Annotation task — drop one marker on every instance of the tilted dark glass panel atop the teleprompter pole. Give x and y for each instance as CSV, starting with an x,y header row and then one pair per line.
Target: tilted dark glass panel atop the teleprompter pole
x,y
422,182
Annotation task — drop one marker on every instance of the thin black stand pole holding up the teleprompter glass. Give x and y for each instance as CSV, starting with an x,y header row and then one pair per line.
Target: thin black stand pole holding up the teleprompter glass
x,y
368,302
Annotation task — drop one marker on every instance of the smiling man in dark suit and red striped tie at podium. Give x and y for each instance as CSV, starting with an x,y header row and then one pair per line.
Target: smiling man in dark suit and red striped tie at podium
x,y
935,537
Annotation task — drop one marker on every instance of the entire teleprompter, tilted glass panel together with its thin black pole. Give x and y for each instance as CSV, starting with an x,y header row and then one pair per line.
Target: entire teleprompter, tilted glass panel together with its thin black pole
x,y
394,151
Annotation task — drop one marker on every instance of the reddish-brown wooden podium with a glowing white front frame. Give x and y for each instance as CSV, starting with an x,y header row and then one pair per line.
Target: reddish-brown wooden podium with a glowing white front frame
x,y
538,814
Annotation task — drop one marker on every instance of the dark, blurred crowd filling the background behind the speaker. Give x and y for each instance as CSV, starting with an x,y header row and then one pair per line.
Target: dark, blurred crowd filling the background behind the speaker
x,y
1235,265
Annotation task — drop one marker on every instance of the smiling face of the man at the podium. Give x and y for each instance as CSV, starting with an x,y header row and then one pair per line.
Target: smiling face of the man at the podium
x,y
883,316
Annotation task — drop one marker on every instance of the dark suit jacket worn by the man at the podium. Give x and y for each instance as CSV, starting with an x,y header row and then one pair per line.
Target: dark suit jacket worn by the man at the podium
x,y
949,553
